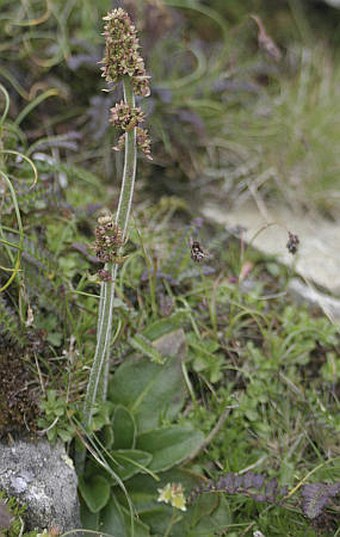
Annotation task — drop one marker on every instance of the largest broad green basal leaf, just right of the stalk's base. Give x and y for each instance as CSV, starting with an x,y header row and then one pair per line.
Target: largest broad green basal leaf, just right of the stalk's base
x,y
152,392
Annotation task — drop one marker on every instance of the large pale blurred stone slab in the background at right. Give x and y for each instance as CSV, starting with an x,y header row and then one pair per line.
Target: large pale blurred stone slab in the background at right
x,y
318,257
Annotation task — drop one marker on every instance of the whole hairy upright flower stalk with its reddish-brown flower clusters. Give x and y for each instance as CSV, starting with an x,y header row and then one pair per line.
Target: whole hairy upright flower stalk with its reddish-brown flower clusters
x,y
122,63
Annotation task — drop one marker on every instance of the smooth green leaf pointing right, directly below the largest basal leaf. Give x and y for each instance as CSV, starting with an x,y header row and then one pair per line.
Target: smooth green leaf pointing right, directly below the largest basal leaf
x,y
169,445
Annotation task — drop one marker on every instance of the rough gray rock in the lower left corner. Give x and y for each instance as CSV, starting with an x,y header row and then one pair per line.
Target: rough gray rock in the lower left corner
x,y
42,477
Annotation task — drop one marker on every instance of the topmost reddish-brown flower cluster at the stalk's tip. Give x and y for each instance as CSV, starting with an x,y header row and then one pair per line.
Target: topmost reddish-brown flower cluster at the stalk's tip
x,y
122,56
